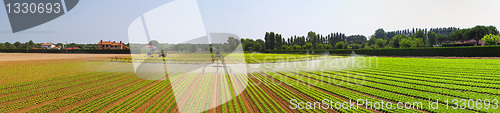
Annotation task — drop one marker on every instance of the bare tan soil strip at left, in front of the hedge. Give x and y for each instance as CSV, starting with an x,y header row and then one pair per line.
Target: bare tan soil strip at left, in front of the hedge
x,y
9,58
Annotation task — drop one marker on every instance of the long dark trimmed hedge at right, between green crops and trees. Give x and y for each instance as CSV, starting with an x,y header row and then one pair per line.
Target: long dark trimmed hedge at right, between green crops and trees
x,y
475,51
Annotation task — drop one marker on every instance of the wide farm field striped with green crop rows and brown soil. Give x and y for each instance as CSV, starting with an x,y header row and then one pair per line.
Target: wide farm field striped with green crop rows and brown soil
x,y
450,85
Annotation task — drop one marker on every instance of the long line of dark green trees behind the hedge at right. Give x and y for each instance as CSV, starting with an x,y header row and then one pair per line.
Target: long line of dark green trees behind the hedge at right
x,y
415,37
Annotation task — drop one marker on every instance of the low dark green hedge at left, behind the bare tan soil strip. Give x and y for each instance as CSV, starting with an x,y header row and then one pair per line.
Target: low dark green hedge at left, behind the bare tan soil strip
x,y
81,51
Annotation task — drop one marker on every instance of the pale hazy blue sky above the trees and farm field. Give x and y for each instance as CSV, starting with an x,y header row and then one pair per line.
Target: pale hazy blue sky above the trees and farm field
x,y
93,20
